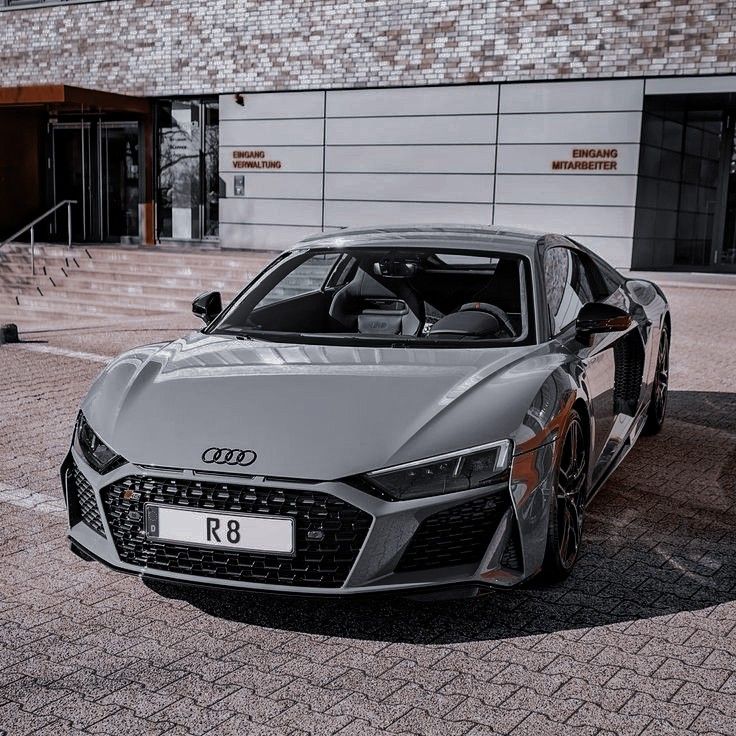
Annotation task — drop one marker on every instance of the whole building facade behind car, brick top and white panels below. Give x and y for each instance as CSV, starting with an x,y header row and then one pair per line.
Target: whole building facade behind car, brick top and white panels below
x,y
381,111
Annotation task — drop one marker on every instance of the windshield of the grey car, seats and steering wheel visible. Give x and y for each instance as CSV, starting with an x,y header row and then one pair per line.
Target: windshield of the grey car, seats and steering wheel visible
x,y
387,295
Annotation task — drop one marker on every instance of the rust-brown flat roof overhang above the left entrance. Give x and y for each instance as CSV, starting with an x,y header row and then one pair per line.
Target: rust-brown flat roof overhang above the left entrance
x,y
64,97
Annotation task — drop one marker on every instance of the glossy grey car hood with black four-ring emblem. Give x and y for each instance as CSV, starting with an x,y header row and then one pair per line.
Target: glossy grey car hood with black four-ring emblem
x,y
308,411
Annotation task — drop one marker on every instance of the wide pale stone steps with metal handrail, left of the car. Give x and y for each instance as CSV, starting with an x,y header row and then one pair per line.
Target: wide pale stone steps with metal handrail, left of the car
x,y
85,286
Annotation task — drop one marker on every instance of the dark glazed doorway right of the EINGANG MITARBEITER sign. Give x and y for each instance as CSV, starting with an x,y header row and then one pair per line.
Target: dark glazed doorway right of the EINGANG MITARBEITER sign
x,y
686,197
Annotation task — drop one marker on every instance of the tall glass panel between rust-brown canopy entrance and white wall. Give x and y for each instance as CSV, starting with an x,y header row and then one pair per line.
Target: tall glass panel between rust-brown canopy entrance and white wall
x,y
188,170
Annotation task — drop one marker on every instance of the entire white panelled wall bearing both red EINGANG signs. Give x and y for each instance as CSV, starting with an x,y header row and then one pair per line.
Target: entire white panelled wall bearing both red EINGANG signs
x,y
476,153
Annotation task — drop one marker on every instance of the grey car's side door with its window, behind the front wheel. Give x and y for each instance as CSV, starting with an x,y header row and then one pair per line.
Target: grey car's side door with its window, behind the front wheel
x,y
570,283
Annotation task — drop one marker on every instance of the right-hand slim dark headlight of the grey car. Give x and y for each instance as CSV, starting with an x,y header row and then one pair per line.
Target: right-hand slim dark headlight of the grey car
x,y
455,471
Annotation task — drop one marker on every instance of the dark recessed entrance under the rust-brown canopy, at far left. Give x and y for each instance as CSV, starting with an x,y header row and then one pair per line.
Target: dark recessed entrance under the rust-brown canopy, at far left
x,y
92,147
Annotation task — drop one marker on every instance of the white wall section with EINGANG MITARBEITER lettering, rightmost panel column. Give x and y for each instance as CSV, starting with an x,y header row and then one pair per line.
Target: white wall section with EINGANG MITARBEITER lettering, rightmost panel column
x,y
544,122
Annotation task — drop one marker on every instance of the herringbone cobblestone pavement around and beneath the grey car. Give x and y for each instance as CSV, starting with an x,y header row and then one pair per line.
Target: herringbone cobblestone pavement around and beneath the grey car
x,y
641,639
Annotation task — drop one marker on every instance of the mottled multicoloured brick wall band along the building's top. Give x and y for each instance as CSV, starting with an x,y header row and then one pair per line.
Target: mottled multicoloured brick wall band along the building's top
x,y
161,47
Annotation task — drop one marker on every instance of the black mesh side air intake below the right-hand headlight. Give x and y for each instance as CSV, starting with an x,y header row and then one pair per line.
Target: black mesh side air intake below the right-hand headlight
x,y
455,536
